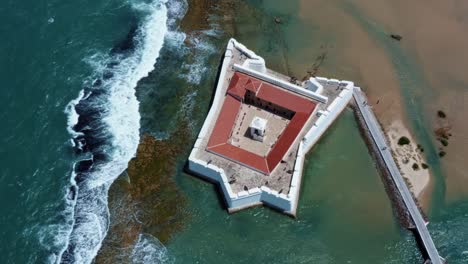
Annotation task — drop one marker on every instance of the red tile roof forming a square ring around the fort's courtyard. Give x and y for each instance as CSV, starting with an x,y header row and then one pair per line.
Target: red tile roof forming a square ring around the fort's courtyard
x,y
218,142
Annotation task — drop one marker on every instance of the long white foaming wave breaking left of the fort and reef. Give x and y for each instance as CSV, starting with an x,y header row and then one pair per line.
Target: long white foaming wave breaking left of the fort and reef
x,y
104,123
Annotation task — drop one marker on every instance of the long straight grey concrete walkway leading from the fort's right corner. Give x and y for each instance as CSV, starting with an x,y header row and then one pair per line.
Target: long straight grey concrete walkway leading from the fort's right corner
x,y
385,152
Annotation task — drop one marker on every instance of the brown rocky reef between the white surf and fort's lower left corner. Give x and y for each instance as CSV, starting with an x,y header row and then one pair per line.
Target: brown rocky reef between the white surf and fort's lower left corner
x,y
145,198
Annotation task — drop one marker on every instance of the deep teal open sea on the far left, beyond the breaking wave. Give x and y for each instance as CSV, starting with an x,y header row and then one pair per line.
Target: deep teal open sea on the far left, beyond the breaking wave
x,y
47,53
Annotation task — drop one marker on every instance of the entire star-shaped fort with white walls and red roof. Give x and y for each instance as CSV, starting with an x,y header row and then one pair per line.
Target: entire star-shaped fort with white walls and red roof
x,y
250,172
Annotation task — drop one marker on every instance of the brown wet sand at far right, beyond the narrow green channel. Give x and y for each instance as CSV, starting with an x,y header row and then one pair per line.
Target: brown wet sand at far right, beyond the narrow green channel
x,y
434,33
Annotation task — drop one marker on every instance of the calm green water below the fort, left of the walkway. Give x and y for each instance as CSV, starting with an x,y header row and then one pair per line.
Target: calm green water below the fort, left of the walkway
x,y
344,215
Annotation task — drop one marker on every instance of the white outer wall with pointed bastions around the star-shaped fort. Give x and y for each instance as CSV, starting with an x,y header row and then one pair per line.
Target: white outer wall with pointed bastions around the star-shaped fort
x,y
264,195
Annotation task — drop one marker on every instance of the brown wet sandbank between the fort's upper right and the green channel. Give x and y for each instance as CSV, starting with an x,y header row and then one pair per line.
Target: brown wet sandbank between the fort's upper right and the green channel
x,y
357,57
